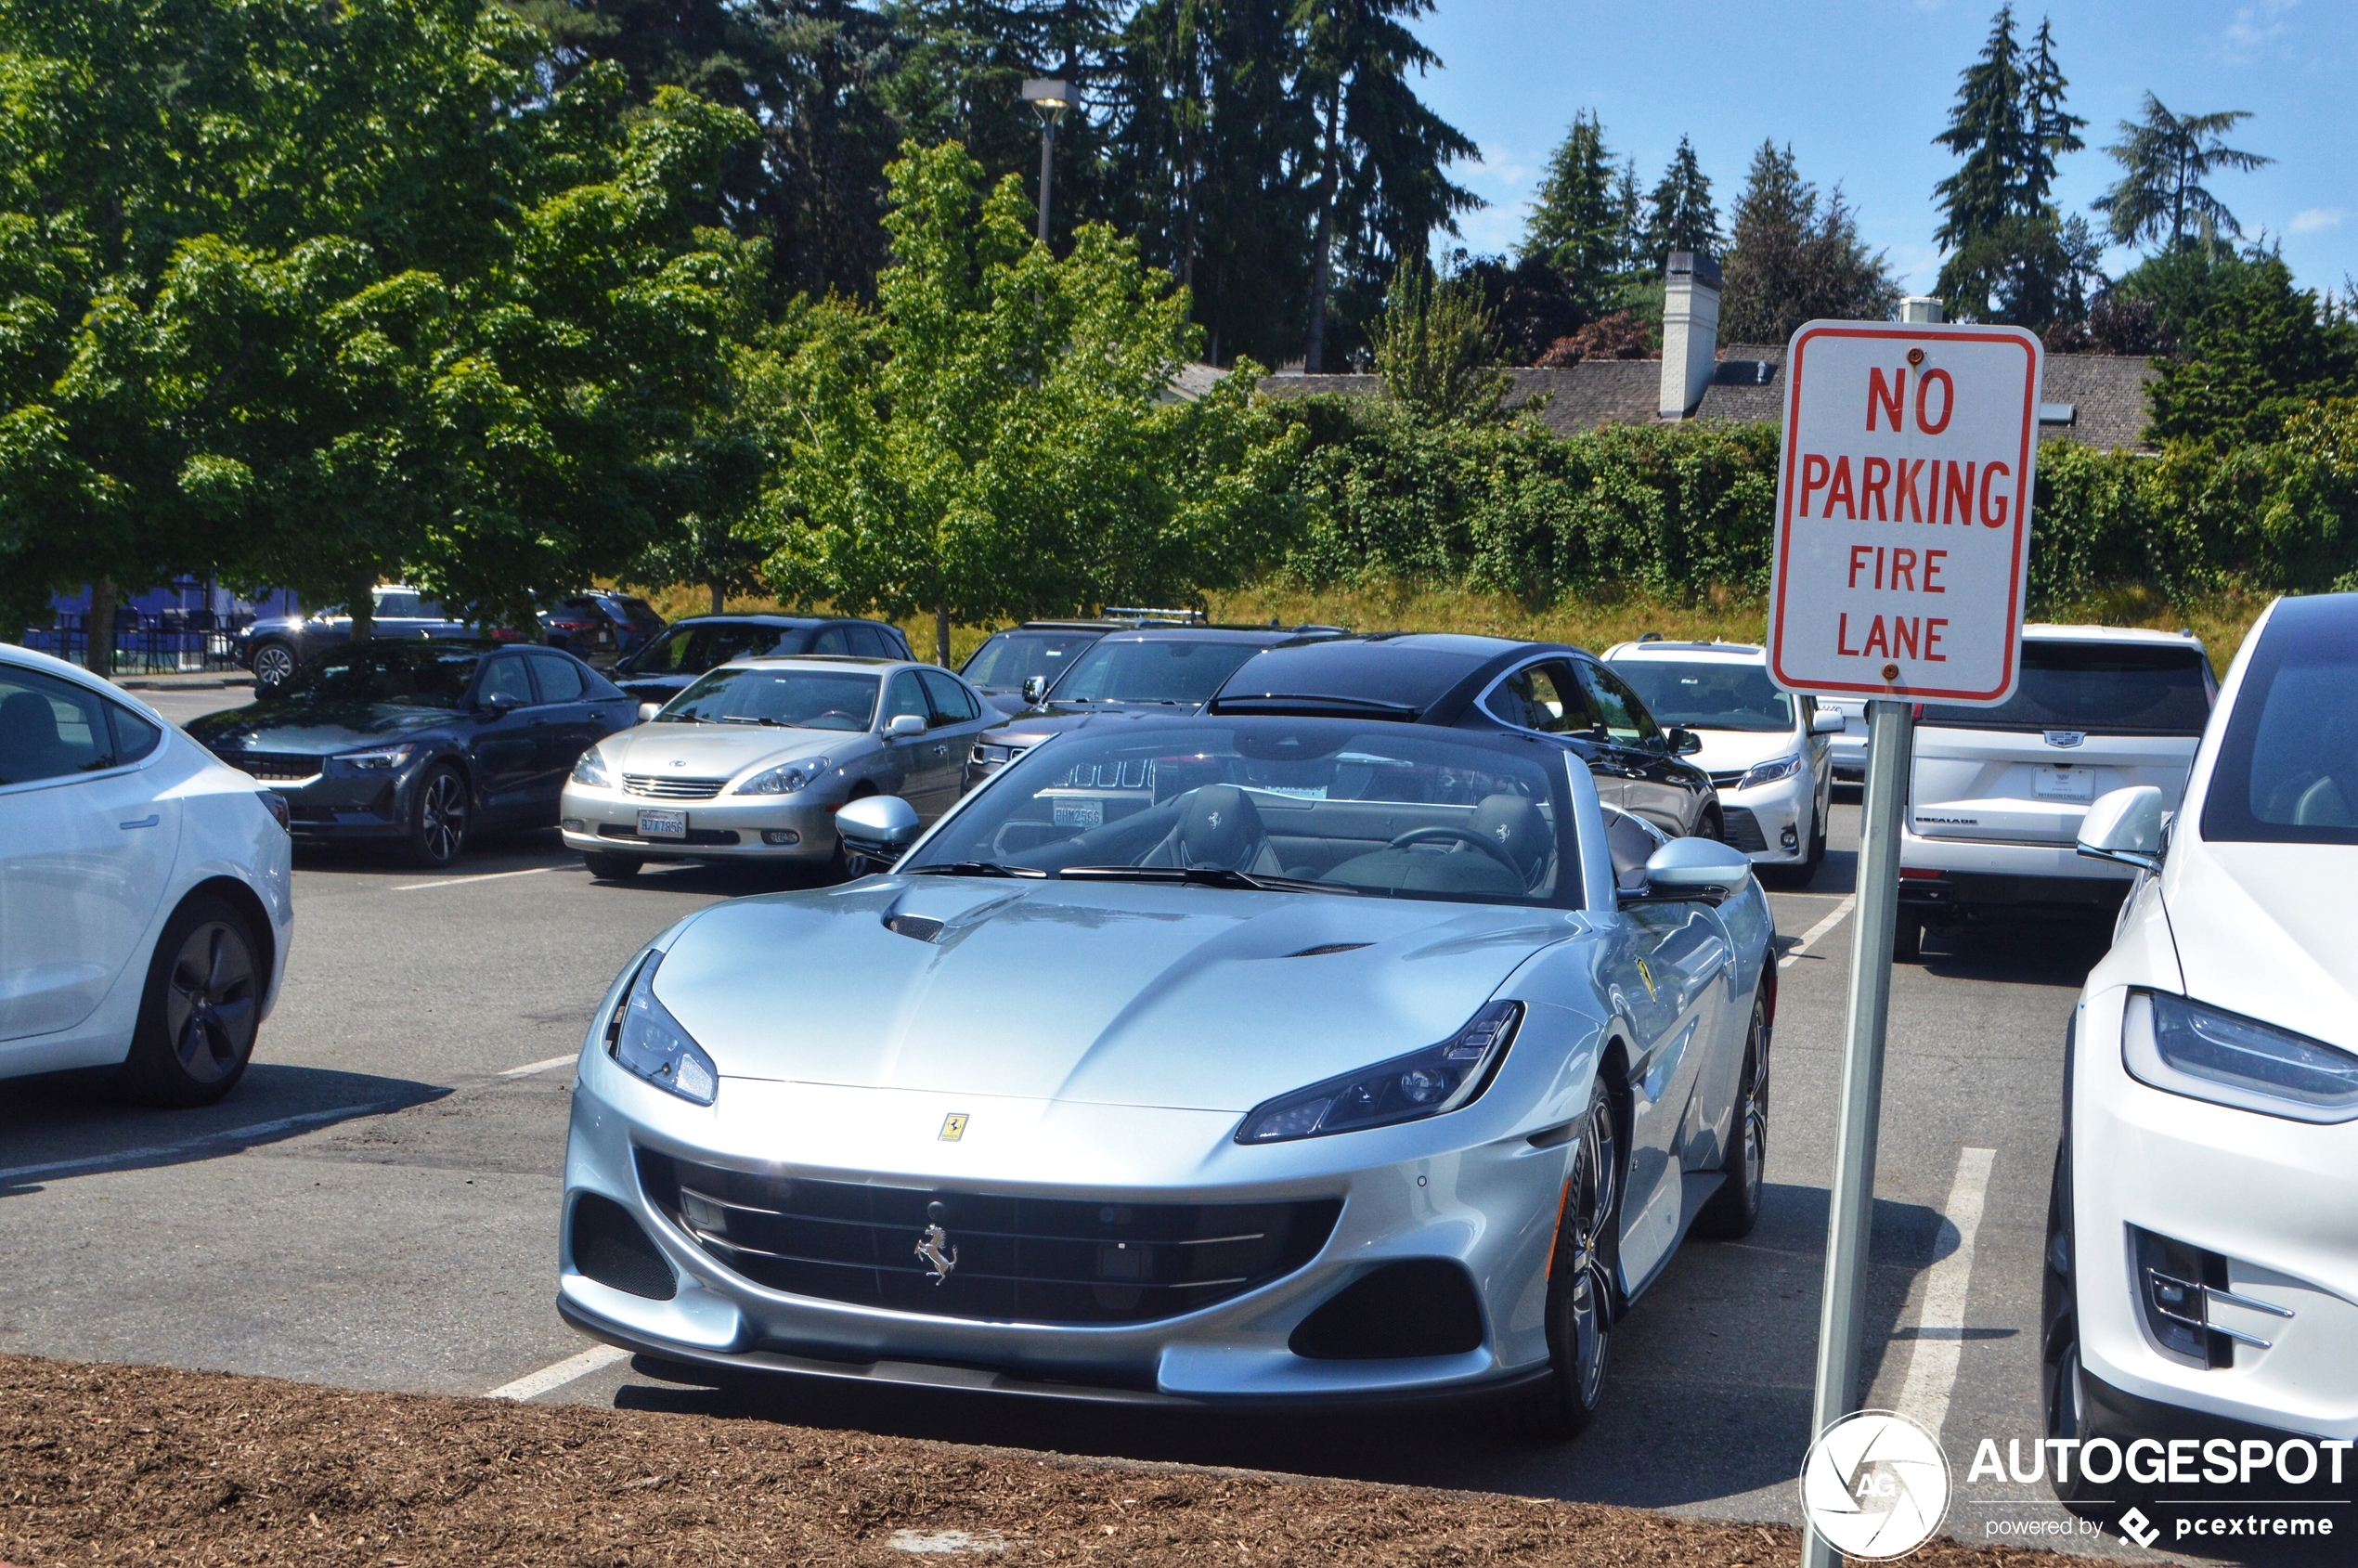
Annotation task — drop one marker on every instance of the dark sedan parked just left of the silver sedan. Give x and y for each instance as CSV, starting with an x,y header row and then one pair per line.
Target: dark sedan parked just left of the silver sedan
x,y
421,744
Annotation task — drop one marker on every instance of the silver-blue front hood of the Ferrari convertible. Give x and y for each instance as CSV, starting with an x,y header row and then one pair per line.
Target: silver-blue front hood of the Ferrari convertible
x,y
1084,991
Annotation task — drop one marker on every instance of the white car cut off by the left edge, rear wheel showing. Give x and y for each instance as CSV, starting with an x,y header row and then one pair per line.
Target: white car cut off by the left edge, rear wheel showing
x,y
145,892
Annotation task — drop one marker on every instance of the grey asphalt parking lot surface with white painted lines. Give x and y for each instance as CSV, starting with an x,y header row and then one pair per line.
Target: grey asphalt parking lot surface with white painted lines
x,y
376,1206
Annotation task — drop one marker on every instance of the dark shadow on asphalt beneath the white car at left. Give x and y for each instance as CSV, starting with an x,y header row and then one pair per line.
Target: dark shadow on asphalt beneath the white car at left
x,y
74,1124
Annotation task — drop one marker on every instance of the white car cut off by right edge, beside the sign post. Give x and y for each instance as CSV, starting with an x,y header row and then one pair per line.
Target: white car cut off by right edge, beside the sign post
x,y
2204,1234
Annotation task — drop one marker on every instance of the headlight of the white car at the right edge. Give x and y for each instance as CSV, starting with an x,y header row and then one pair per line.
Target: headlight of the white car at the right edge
x,y
2239,1062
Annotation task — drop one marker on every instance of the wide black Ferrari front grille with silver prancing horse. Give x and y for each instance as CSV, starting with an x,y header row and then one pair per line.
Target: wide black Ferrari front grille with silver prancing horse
x,y
1017,1260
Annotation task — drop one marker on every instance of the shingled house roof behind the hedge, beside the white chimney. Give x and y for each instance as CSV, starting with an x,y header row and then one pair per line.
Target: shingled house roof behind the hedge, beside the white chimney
x,y
2105,393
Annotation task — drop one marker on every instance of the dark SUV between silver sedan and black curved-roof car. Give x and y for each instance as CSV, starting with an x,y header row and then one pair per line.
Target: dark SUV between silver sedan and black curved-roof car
x,y
1150,671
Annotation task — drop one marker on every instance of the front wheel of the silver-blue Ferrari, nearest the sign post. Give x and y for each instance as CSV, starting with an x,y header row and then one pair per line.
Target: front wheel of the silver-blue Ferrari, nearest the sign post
x,y
1579,1289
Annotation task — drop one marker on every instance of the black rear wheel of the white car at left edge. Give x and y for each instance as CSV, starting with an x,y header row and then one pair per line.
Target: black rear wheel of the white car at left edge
x,y
202,1008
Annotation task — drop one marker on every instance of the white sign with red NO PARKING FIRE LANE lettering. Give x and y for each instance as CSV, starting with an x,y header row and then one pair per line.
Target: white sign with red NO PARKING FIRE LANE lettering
x,y
1904,510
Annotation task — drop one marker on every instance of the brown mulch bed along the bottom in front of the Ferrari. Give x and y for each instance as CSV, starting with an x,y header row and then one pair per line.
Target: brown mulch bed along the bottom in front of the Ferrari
x,y
154,1465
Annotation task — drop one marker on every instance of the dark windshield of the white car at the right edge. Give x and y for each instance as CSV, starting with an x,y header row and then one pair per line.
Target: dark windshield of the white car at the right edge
x,y
2288,760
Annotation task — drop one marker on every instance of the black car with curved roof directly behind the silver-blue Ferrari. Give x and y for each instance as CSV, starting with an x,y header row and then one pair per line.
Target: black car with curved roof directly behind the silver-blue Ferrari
x,y
1494,683
